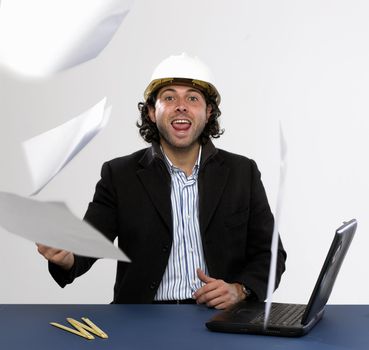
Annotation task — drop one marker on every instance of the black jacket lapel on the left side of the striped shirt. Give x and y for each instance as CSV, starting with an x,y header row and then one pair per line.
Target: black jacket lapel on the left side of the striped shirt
x,y
156,182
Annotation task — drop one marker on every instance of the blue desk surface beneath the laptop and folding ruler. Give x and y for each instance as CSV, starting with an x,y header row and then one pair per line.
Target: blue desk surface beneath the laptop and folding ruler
x,y
168,327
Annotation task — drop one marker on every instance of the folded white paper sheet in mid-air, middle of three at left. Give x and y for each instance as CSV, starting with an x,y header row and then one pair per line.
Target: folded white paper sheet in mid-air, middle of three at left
x,y
47,154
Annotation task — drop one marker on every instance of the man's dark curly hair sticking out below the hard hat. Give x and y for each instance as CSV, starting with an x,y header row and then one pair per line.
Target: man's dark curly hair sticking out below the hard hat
x,y
149,131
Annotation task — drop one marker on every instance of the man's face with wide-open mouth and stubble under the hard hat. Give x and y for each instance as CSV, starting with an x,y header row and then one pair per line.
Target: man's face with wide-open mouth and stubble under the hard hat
x,y
180,115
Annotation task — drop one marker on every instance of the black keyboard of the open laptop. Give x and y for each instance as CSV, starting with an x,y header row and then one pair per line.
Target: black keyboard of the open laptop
x,y
282,314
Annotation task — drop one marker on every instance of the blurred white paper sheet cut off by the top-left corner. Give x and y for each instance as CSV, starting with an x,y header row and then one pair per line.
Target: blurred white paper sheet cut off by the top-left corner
x,y
42,37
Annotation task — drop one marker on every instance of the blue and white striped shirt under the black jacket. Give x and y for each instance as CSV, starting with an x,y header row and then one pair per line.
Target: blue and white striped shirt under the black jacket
x,y
180,280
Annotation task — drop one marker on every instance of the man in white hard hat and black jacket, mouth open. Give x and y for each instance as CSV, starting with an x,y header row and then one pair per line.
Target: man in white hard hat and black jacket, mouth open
x,y
194,219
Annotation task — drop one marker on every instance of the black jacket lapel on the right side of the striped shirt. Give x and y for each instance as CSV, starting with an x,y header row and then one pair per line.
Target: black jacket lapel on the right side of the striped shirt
x,y
212,180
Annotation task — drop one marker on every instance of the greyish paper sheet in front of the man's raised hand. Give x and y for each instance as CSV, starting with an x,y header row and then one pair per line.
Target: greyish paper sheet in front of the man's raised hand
x,y
52,224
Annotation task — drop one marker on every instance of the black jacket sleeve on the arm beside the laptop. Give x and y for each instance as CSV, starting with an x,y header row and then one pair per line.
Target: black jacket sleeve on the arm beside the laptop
x,y
259,237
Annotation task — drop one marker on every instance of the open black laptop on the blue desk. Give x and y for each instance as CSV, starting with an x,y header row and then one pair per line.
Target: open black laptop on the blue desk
x,y
289,320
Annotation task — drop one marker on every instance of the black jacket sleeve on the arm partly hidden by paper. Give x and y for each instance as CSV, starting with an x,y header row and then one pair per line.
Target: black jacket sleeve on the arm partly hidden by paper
x,y
101,214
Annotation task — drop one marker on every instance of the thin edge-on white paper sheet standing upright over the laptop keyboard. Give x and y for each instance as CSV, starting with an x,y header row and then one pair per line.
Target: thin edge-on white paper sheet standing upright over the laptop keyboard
x,y
274,245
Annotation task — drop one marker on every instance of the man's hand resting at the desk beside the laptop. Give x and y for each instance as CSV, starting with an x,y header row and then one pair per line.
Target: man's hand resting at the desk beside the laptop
x,y
217,293
